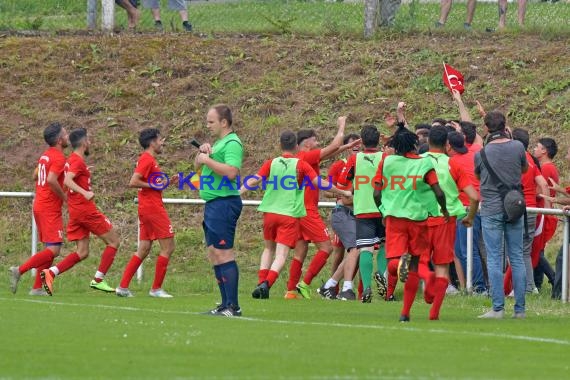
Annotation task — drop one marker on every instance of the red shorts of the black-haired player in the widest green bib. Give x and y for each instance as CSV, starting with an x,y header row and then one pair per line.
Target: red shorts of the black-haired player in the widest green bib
x,y
405,236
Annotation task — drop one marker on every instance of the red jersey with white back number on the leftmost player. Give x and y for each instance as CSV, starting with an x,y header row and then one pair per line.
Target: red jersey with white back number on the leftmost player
x,y
51,161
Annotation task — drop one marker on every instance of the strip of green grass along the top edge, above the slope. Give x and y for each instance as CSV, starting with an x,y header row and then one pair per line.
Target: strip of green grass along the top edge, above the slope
x,y
280,16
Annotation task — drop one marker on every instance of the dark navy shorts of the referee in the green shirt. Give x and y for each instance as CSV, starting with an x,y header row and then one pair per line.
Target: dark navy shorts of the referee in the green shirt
x,y
220,220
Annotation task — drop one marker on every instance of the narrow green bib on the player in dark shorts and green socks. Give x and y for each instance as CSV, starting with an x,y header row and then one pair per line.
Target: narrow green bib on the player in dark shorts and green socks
x,y
364,171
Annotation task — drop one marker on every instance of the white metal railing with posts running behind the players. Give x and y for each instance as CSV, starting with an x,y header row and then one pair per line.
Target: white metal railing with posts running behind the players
x,y
469,269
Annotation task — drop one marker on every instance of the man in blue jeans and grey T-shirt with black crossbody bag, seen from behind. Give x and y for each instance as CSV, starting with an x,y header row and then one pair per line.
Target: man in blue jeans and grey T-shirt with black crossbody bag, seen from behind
x,y
508,159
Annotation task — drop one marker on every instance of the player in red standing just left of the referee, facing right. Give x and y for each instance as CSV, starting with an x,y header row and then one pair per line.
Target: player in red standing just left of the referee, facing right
x,y
154,222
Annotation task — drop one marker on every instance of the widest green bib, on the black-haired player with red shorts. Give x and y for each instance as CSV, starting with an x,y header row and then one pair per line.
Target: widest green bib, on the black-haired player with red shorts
x,y
404,192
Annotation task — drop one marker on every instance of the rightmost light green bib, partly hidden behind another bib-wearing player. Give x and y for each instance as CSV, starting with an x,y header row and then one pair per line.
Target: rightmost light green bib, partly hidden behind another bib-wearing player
x,y
440,162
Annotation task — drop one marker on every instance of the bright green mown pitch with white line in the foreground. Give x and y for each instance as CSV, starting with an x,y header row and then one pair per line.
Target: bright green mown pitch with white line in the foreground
x,y
86,334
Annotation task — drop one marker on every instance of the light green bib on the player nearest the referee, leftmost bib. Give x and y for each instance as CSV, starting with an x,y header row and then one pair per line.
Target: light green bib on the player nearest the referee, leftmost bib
x,y
282,194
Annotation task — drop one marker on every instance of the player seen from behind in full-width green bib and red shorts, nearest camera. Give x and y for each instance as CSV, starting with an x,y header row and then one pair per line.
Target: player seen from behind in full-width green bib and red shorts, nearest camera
x,y
406,206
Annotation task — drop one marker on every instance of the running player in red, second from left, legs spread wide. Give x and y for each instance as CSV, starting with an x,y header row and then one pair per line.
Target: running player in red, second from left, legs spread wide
x,y
84,218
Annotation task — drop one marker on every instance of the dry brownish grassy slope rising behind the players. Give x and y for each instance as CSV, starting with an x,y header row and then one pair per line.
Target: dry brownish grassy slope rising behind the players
x,y
117,85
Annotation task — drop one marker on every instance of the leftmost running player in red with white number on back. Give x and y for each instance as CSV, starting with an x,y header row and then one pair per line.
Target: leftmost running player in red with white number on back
x,y
47,207
